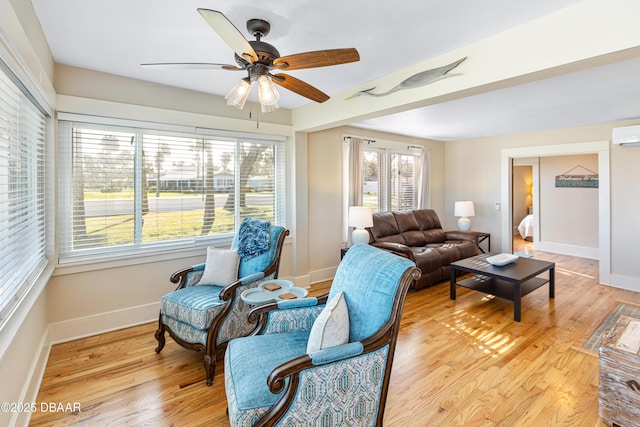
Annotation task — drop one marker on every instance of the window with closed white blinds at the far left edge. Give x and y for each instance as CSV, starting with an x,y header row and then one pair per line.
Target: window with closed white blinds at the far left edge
x,y
22,192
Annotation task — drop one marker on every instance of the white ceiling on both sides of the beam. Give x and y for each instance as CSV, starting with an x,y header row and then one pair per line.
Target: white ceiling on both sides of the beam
x,y
116,36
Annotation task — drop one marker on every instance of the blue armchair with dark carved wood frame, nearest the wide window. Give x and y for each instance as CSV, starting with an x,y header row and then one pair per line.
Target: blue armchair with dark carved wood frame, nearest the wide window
x,y
204,317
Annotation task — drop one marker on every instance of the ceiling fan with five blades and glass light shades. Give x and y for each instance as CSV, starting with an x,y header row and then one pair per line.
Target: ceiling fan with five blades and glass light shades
x,y
260,59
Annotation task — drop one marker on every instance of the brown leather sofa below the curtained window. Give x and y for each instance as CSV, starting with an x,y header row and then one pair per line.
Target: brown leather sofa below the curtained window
x,y
418,235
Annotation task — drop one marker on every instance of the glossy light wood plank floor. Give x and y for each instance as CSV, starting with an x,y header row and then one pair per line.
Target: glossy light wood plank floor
x,y
457,363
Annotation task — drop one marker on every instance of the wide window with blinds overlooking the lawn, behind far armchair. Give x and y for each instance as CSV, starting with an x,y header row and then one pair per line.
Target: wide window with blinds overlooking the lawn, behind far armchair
x,y
140,190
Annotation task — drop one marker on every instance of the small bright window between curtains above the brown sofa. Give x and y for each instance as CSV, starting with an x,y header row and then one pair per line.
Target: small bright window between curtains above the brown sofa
x,y
389,180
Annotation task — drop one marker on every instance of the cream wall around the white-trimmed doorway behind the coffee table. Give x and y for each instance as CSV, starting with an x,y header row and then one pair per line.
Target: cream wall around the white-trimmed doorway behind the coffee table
x,y
473,173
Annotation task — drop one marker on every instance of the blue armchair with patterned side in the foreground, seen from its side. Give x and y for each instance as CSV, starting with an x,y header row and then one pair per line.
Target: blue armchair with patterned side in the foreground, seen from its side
x,y
281,376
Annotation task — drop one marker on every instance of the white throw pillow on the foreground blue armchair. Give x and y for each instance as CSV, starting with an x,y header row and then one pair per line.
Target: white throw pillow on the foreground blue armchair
x,y
331,327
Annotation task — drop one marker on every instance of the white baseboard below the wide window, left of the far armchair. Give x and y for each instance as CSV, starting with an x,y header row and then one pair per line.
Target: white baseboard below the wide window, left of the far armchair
x,y
87,326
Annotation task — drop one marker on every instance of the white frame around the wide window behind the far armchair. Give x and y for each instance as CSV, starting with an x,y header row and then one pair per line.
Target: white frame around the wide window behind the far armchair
x,y
161,249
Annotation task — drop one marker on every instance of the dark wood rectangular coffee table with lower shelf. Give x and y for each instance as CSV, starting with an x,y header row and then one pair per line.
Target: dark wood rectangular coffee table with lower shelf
x,y
511,281
